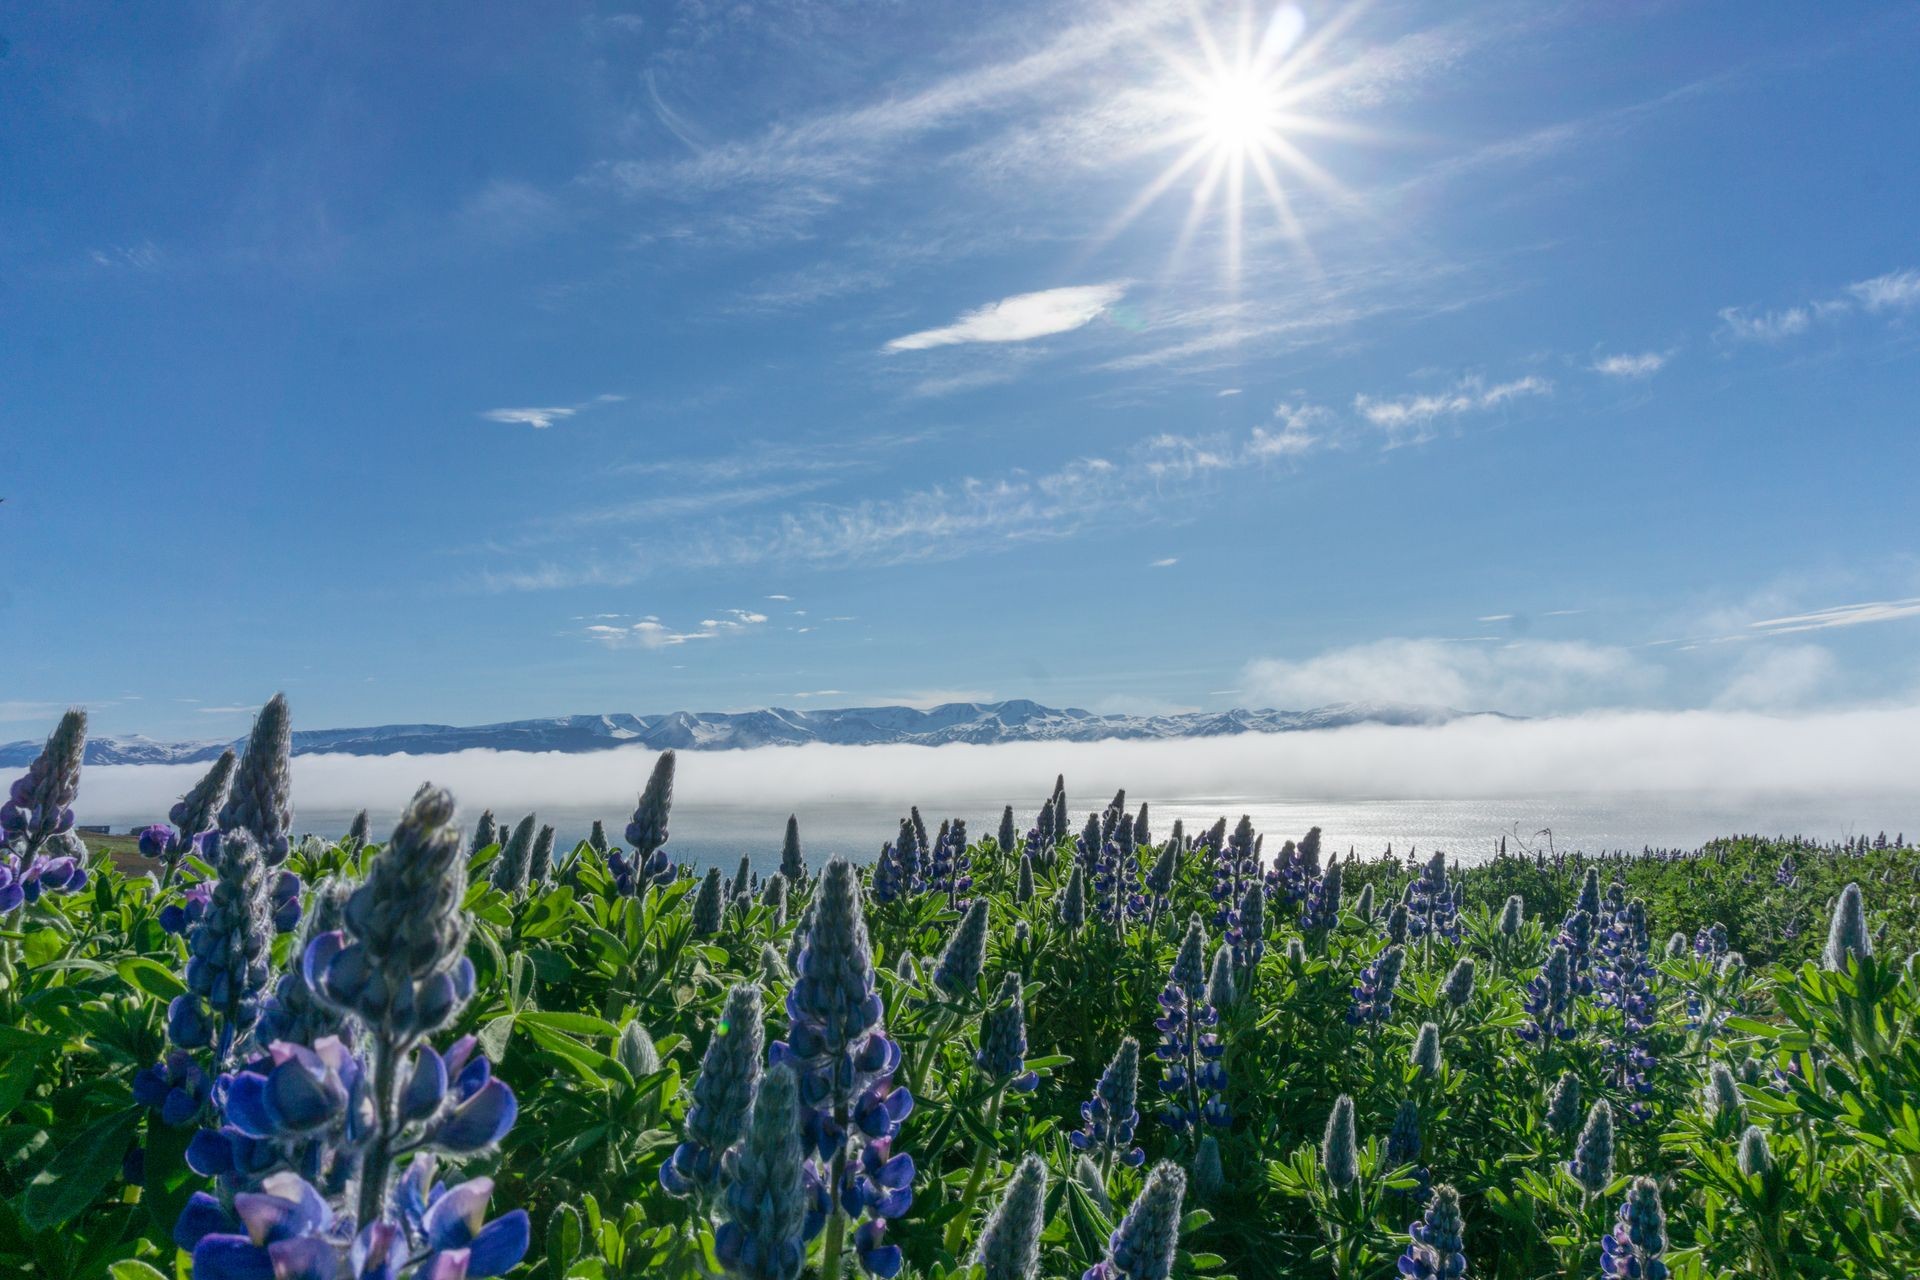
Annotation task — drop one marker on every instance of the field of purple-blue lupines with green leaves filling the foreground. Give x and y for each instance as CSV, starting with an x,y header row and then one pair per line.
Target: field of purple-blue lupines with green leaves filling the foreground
x,y
1072,1047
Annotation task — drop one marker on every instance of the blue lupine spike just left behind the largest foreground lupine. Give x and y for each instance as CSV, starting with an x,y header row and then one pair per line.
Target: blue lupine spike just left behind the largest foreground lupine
x,y
229,953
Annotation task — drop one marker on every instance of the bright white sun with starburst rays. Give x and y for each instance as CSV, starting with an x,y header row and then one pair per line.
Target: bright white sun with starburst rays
x,y
1236,112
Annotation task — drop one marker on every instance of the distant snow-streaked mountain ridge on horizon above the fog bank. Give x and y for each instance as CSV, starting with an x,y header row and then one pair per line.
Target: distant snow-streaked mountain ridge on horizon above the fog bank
x,y
855,726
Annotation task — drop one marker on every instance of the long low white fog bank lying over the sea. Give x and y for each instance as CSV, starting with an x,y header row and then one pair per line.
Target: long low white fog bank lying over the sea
x,y
1483,757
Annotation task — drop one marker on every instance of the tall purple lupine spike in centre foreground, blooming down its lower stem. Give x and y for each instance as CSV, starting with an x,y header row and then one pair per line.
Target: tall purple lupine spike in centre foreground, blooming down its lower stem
x,y
846,1068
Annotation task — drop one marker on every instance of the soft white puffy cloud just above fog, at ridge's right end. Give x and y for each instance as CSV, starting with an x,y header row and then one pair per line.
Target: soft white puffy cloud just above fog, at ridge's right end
x,y
1518,678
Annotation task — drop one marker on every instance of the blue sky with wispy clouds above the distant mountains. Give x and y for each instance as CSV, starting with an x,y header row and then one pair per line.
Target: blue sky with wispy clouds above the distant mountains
x,y
485,362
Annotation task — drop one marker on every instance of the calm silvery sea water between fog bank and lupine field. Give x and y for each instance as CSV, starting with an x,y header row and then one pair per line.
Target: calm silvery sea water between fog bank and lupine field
x,y
1472,830
